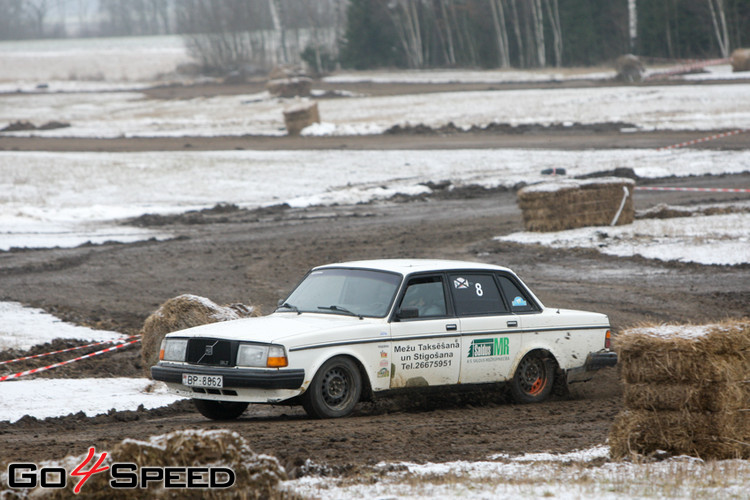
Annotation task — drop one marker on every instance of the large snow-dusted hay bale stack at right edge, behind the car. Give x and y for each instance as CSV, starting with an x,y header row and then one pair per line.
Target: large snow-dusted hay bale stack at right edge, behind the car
x,y
687,391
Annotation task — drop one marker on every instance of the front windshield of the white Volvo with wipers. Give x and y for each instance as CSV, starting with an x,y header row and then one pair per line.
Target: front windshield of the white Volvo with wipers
x,y
357,292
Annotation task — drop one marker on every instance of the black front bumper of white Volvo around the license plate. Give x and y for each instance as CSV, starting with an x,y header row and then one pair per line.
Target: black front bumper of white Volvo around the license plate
x,y
240,378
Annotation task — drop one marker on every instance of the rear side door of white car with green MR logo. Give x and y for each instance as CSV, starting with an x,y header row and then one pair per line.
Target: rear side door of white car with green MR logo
x,y
491,334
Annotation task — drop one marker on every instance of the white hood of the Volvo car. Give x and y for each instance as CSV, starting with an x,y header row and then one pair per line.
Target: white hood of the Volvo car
x,y
277,327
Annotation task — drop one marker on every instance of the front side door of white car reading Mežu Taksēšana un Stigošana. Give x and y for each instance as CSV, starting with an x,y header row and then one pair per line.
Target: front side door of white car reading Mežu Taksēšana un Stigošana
x,y
426,345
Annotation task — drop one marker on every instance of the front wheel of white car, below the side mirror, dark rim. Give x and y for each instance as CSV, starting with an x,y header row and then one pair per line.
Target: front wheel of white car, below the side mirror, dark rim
x,y
335,389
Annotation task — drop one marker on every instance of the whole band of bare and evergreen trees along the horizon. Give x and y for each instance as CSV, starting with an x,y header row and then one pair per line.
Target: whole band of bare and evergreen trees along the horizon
x,y
226,34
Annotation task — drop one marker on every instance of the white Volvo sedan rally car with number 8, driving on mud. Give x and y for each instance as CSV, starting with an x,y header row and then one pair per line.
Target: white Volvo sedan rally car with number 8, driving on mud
x,y
354,330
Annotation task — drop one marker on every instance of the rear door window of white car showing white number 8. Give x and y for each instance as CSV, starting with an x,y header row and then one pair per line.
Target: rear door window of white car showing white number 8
x,y
476,294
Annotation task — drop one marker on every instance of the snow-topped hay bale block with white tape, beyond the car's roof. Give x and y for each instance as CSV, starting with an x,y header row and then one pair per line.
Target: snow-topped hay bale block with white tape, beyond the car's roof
x,y
567,204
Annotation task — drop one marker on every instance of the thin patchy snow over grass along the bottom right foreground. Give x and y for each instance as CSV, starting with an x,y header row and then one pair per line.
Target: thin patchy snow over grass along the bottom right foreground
x,y
541,475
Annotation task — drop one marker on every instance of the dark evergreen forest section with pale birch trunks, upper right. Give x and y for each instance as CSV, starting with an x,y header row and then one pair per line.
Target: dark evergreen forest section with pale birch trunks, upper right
x,y
537,33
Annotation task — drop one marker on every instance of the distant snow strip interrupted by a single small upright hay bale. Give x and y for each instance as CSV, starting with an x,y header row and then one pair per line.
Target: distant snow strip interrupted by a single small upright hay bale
x,y
131,114
